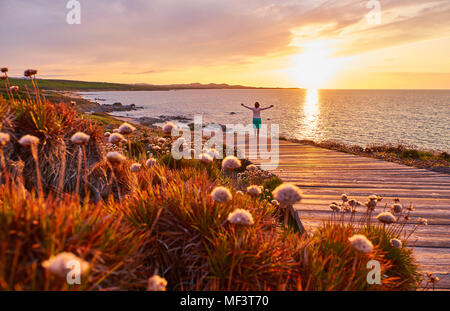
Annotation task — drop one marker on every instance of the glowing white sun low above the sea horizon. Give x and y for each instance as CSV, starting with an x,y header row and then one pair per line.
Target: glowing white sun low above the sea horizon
x,y
314,66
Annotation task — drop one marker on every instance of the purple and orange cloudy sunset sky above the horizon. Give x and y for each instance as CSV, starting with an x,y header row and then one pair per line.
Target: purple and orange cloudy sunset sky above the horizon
x,y
300,43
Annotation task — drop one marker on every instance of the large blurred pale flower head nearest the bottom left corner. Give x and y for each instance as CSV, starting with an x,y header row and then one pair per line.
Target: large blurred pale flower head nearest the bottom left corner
x,y
61,265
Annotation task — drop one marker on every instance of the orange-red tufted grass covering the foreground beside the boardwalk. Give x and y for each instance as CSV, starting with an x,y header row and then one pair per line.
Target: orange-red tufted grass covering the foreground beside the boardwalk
x,y
161,219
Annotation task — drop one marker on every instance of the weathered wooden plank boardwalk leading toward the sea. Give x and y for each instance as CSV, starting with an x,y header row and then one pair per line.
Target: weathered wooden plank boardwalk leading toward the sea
x,y
323,175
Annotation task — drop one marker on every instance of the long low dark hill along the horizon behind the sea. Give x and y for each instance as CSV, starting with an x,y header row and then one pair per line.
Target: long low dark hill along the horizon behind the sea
x,y
71,85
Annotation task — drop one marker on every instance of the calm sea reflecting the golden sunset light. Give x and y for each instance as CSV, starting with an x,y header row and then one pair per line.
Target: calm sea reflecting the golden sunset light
x,y
417,118
